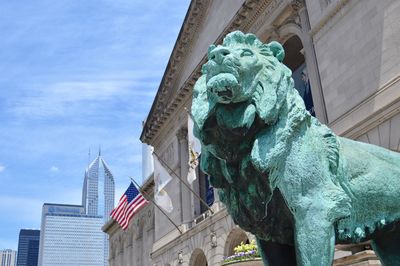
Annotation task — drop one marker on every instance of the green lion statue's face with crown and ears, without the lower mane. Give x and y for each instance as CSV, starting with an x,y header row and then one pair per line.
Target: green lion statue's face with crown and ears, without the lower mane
x,y
234,69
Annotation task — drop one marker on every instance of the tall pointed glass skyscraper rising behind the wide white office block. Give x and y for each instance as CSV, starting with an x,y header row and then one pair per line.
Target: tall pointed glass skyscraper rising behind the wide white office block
x,y
98,193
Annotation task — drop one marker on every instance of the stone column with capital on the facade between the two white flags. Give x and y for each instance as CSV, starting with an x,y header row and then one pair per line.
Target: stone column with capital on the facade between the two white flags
x,y
185,195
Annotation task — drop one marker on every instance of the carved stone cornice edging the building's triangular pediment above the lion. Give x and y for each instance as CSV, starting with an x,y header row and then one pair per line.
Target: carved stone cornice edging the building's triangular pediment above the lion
x,y
165,105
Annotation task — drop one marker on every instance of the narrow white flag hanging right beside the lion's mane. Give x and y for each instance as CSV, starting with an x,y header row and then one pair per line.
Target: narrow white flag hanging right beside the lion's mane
x,y
194,152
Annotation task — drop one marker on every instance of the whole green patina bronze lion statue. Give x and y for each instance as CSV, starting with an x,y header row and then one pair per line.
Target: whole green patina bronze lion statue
x,y
282,175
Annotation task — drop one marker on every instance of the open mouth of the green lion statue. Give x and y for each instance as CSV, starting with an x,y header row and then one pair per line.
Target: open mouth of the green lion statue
x,y
223,86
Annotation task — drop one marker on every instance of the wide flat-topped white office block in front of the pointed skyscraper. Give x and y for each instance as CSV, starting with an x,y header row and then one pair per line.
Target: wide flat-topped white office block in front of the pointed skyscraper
x,y
70,237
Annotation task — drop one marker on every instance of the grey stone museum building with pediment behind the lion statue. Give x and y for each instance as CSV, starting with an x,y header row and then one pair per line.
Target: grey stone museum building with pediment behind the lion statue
x,y
345,58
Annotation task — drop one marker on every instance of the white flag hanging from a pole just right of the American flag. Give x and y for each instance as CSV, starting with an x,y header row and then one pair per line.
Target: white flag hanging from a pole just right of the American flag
x,y
161,179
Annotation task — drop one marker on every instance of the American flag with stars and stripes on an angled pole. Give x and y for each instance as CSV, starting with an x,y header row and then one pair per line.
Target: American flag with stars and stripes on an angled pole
x,y
129,204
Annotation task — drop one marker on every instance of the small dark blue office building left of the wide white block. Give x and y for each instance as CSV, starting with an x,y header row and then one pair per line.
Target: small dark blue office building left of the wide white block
x,y
28,247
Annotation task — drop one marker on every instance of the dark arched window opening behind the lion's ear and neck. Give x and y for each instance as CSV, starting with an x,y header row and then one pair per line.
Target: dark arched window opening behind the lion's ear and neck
x,y
294,59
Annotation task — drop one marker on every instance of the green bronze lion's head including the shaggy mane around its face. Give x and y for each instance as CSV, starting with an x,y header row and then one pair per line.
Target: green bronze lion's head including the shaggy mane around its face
x,y
243,81
